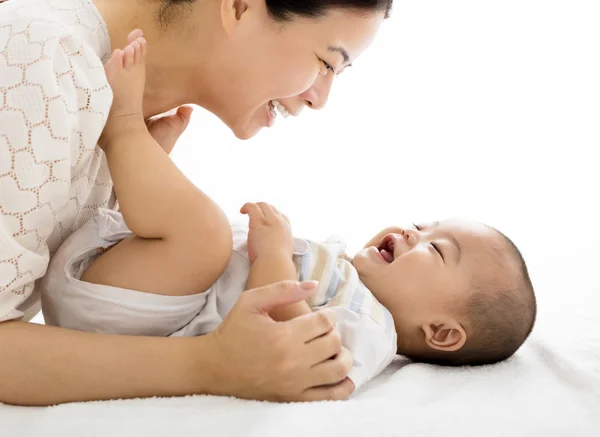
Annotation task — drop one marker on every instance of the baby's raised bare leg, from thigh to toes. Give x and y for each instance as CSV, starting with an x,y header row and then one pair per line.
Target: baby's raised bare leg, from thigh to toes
x,y
183,239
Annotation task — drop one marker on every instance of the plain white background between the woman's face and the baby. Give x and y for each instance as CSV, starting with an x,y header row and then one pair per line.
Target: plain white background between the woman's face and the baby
x,y
482,109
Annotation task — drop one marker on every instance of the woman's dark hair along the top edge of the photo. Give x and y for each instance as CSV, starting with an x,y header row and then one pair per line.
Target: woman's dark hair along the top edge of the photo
x,y
283,10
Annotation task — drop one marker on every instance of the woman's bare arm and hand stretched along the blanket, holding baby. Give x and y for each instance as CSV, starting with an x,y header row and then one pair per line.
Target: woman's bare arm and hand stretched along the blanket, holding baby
x,y
248,356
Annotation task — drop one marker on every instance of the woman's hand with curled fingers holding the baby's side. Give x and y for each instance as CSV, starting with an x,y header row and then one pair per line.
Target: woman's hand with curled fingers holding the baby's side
x,y
298,360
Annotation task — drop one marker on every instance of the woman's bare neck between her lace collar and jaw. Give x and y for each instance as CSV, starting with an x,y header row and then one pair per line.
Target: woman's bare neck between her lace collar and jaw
x,y
173,61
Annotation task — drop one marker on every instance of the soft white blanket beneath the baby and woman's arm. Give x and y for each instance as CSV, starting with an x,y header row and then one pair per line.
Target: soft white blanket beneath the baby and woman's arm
x,y
552,388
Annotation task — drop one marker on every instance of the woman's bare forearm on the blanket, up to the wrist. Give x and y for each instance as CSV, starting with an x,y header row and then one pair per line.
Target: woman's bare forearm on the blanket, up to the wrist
x,y
44,365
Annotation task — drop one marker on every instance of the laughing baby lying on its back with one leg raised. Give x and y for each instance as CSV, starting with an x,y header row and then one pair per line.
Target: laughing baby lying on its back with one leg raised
x,y
451,292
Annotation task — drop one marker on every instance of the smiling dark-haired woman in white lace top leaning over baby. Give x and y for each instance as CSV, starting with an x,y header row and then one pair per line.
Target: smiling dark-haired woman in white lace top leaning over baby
x,y
243,60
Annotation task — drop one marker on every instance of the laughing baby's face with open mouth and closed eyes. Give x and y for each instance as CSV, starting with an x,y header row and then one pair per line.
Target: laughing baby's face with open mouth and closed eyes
x,y
420,273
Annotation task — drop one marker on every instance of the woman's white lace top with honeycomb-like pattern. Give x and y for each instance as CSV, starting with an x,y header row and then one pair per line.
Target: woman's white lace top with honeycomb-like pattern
x,y
54,102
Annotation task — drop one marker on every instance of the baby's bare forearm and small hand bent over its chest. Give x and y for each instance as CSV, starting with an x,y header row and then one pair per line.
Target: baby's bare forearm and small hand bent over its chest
x,y
270,247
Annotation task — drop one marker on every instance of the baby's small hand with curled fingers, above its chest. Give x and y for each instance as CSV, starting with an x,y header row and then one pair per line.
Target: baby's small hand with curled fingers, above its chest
x,y
270,230
